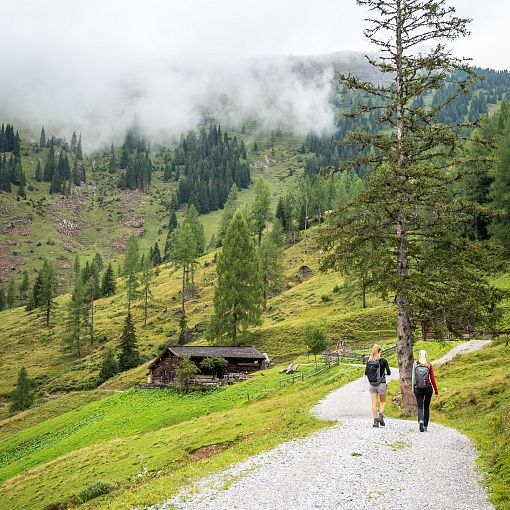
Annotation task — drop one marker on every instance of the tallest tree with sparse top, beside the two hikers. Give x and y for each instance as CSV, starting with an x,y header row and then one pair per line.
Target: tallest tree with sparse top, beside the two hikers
x,y
408,212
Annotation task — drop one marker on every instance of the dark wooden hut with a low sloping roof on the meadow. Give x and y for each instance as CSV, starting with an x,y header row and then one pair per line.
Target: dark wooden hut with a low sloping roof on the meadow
x,y
239,359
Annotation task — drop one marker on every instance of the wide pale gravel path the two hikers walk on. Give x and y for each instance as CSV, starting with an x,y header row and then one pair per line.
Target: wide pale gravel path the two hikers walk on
x,y
351,466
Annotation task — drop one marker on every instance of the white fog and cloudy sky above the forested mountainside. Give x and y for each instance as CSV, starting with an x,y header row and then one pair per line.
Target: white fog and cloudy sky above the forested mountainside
x,y
100,66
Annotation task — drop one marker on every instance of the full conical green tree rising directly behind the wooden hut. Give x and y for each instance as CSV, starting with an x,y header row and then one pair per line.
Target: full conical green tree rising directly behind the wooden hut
x,y
238,294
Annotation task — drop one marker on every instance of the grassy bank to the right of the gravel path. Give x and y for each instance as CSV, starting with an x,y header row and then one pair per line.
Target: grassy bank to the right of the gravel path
x,y
475,399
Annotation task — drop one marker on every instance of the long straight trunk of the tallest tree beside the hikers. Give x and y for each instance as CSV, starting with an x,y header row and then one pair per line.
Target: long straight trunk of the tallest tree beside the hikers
x,y
404,331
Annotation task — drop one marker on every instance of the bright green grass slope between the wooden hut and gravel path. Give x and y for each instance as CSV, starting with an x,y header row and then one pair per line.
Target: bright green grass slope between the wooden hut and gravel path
x,y
108,440
